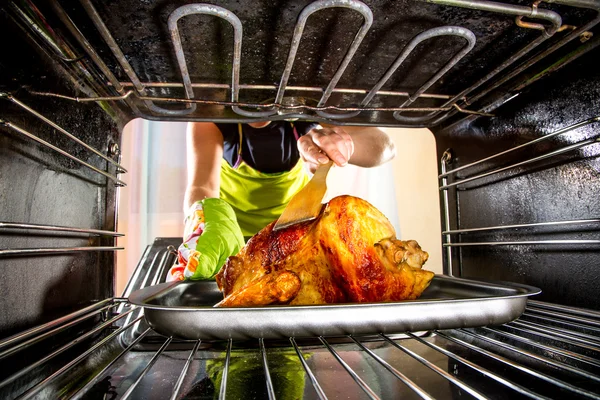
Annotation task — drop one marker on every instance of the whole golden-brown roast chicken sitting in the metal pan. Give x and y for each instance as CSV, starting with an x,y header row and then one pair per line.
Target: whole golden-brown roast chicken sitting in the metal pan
x,y
348,254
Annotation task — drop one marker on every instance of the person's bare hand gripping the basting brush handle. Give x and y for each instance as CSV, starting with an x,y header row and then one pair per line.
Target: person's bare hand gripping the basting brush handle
x,y
319,146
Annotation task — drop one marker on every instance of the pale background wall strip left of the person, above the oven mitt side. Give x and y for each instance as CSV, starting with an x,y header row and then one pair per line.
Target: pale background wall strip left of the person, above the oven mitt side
x,y
151,205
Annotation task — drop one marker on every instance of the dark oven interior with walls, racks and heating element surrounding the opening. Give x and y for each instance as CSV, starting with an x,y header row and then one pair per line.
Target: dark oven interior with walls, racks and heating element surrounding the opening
x,y
510,90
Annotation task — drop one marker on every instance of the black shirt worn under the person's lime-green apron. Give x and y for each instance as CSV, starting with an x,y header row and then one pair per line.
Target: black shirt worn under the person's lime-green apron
x,y
270,149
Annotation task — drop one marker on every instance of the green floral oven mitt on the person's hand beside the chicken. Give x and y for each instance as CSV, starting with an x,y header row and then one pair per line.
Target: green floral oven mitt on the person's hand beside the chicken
x,y
211,235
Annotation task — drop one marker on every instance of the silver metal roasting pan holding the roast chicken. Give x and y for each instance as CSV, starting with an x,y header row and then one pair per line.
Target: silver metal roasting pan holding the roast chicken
x,y
184,310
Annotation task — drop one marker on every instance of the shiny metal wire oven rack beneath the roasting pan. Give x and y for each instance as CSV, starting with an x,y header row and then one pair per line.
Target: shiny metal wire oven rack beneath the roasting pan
x,y
552,351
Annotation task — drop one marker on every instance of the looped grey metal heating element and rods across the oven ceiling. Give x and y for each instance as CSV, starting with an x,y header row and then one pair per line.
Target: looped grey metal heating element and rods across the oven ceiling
x,y
142,99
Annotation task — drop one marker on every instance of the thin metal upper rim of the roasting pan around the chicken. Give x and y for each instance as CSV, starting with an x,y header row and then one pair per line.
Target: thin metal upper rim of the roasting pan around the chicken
x,y
142,296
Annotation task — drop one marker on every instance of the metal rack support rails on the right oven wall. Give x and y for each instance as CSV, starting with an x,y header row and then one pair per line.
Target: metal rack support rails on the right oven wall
x,y
461,183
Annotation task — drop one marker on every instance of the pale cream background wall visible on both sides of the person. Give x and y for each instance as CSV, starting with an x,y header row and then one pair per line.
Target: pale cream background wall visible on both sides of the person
x,y
151,205
